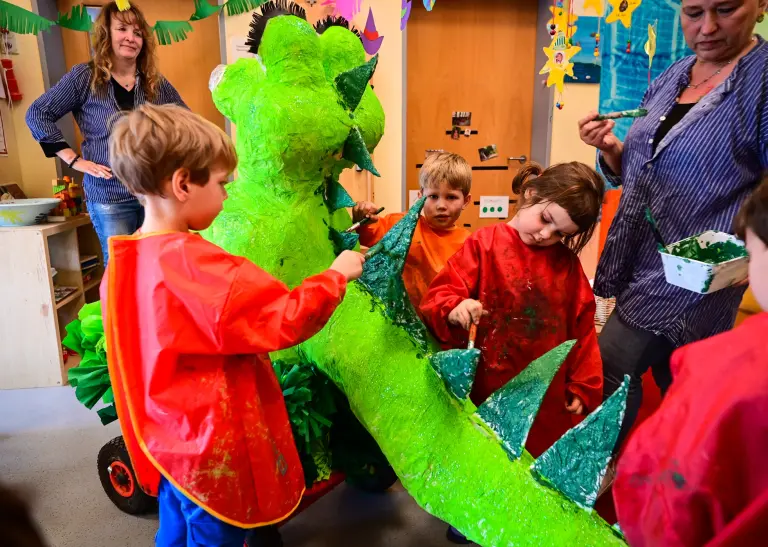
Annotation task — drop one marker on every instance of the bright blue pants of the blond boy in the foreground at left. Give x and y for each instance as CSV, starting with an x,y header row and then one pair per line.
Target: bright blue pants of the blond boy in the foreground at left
x,y
185,524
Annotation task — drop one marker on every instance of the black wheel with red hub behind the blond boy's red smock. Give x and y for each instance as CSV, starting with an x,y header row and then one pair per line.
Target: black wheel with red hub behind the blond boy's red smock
x,y
119,480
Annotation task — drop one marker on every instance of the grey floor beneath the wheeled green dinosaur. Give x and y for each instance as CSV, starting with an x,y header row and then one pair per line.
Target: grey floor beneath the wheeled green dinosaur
x,y
48,448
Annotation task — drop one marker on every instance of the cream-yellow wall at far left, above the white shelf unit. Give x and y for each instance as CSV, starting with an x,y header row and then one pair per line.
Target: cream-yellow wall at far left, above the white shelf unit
x,y
35,171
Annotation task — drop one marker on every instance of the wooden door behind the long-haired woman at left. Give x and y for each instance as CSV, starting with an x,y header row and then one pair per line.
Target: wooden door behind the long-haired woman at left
x,y
187,65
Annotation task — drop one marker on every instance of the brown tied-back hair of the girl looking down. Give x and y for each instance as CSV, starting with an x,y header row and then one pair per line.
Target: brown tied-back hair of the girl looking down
x,y
574,186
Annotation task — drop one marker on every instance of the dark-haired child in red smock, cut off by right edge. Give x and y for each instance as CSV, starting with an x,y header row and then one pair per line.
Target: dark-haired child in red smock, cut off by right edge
x,y
696,472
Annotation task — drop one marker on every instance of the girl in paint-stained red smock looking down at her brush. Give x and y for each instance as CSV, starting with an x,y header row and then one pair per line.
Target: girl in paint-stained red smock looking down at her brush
x,y
523,285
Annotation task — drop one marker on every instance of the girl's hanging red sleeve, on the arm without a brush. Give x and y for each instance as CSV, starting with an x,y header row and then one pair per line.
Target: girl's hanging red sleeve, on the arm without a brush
x,y
584,367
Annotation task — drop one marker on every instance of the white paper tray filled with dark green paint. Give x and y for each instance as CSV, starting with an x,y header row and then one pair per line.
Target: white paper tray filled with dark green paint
x,y
705,263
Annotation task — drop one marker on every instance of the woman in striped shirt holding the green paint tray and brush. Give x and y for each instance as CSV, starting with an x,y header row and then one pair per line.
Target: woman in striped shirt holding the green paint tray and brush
x,y
693,161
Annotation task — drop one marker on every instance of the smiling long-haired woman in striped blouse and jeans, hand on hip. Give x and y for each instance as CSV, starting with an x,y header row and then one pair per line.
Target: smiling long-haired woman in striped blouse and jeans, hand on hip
x,y
122,75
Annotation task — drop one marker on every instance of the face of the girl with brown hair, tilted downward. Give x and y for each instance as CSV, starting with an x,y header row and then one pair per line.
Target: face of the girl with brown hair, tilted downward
x,y
543,224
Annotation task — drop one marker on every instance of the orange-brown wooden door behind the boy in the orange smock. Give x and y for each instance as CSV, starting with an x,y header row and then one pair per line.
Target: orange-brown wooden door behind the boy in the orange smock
x,y
477,57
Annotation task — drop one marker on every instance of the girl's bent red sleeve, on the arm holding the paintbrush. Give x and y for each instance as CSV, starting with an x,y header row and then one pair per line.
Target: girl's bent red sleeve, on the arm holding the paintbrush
x,y
455,283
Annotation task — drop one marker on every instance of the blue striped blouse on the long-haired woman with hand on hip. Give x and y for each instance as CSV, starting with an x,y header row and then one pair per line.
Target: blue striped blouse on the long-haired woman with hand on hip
x,y
94,114
